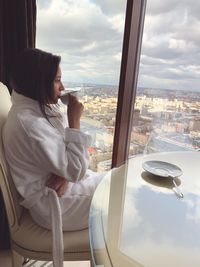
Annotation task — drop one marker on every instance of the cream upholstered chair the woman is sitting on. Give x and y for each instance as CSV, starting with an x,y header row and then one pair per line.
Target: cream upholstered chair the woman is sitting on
x,y
29,240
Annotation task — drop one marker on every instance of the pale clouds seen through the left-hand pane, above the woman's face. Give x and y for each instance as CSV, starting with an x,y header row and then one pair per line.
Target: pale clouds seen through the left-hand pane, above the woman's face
x,y
88,40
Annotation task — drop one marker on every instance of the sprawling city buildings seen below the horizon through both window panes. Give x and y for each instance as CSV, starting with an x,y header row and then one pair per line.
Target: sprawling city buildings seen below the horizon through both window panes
x,y
164,120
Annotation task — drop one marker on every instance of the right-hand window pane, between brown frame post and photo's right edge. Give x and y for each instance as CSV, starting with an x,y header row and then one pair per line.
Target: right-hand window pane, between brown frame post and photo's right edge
x,y
167,107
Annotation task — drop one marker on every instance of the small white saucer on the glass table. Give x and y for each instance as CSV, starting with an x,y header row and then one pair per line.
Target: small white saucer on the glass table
x,y
161,168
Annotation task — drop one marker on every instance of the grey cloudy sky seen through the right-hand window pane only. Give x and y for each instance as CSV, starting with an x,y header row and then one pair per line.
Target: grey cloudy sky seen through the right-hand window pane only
x,y
170,48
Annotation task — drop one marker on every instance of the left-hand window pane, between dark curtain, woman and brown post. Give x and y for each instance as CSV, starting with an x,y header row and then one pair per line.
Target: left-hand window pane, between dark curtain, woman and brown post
x,y
88,35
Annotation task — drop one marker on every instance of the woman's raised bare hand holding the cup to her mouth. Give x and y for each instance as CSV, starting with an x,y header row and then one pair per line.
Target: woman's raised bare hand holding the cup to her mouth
x,y
74,112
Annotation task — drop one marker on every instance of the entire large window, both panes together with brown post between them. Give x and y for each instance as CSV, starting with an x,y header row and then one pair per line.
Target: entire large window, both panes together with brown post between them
x,y
126,115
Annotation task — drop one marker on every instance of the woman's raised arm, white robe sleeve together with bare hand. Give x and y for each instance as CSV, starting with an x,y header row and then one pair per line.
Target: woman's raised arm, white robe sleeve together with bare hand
x,y
64,153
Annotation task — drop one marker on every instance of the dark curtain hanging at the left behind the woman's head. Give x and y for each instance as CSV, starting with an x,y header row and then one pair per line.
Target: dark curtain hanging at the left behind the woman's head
x,y
17,32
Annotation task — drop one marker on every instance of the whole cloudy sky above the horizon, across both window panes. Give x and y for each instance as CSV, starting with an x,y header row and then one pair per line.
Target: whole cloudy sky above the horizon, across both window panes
x,y
88,34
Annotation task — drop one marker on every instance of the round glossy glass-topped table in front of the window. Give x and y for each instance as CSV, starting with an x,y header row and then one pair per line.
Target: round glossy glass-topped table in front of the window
x,y
137,219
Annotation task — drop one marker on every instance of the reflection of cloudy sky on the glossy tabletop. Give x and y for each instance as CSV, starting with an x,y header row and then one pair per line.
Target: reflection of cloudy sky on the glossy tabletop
x,y
165,231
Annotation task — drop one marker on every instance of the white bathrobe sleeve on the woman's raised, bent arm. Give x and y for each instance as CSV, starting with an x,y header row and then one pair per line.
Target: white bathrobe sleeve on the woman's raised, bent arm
x,y
66,156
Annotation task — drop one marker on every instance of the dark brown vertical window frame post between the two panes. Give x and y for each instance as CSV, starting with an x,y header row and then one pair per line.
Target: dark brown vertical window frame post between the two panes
x,y
134,23
